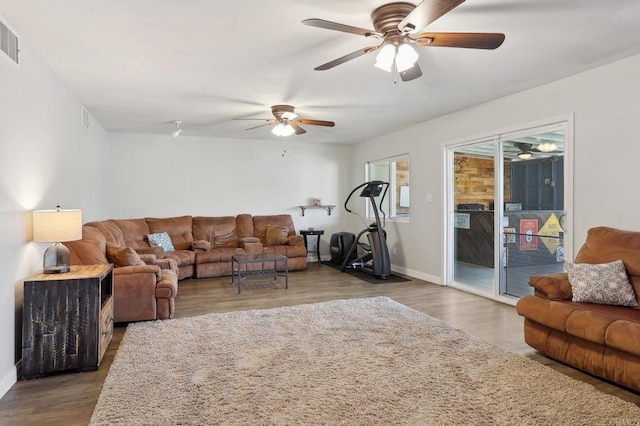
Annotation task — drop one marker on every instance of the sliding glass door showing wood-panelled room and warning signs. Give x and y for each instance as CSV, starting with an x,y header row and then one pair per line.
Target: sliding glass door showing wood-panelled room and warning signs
x,y
506,211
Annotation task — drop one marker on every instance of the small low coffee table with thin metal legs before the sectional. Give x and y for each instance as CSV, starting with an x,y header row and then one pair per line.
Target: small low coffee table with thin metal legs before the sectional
x,y
269,267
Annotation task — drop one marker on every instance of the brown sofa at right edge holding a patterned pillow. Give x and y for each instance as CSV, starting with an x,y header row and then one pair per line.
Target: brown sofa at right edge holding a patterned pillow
x,y
603,340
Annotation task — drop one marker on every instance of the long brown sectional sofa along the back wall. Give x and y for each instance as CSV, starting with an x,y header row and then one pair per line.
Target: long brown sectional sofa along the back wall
x,y
203,249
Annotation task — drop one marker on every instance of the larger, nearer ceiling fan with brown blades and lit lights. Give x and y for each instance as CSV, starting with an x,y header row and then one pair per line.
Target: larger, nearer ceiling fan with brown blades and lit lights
x,y
398,26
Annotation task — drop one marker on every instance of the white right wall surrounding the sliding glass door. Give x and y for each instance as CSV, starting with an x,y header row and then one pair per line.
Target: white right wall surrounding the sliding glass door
x,y
605,103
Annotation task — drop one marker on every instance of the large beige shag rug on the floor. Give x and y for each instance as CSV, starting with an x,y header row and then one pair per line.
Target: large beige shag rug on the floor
x,y
369,361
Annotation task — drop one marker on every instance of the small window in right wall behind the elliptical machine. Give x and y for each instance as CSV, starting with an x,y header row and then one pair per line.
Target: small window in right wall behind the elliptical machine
x,y
396,171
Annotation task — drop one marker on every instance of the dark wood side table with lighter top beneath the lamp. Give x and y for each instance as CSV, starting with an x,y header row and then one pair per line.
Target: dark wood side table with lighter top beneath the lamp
x,y
67,320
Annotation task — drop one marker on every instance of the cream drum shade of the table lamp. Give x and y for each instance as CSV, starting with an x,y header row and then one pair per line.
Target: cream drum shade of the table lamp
x,y
56,226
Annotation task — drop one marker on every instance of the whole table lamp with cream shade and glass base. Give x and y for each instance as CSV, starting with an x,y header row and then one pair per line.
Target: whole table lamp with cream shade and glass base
x,y
57,226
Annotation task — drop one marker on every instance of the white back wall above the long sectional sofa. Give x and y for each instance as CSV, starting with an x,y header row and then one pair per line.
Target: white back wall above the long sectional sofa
x,y
159,176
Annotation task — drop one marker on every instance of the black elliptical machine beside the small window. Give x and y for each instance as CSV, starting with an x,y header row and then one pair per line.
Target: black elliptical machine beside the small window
x,y
375,257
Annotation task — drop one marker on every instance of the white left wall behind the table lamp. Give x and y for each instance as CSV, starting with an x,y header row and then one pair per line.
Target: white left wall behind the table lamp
x,y
46,158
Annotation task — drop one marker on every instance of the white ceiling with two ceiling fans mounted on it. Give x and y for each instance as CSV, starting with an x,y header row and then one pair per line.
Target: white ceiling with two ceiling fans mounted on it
x,y
138,65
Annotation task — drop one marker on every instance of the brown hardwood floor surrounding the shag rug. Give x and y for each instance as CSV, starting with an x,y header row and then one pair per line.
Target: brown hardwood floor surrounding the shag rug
x,y
68,399
